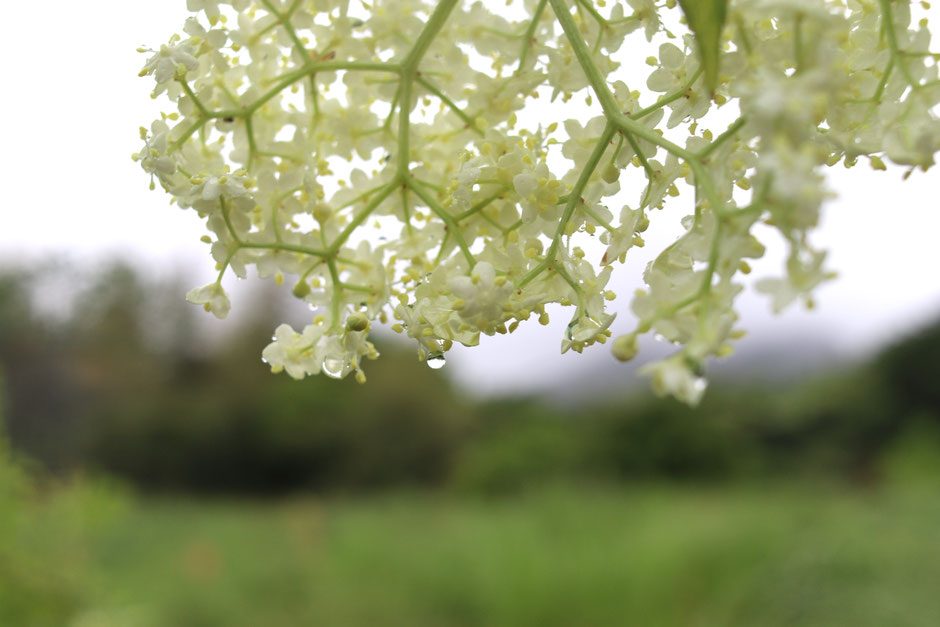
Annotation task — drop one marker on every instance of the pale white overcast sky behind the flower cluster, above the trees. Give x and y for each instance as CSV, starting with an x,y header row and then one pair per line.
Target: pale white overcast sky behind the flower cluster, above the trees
x,y
73,102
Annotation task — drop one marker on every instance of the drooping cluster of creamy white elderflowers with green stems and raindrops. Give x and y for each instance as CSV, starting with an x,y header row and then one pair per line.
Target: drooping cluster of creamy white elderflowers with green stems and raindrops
x,y
302,131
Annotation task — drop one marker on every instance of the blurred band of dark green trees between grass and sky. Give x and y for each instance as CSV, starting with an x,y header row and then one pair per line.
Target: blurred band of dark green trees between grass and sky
x,y
96,381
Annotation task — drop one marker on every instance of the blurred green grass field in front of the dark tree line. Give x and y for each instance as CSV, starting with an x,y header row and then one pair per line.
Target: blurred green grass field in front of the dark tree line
x,y
651,556
